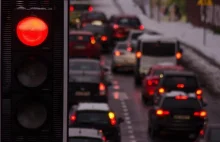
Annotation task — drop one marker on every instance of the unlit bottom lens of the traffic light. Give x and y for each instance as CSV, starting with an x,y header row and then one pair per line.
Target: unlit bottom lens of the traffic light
x,y
32,115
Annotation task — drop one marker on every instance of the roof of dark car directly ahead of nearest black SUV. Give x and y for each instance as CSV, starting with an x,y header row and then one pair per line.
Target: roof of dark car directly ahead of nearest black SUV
x,y
178,73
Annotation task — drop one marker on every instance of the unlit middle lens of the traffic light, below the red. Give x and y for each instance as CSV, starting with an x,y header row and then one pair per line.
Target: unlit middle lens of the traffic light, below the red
x,y
32,73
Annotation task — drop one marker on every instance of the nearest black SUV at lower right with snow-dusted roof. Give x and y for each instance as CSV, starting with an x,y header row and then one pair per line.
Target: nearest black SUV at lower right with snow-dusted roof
x,y
177,112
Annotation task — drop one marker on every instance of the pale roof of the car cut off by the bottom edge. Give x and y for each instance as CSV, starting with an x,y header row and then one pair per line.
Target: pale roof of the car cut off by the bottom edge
x,y
85,132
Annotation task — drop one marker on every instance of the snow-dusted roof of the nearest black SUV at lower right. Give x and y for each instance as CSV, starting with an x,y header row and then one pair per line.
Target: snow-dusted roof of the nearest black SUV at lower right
x,y
172,94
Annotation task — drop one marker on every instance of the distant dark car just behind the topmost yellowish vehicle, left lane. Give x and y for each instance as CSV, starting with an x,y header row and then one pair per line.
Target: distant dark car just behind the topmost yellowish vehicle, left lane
x,y
89,17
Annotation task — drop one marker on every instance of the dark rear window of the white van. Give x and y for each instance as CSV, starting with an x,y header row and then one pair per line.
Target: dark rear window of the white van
x,y
159,49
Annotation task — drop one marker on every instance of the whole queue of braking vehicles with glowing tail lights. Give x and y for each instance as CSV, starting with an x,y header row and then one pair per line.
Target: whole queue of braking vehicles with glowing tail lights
x,y
174,94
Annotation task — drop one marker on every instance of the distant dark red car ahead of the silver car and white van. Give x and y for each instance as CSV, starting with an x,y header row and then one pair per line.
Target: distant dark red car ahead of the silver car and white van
x,y
122,24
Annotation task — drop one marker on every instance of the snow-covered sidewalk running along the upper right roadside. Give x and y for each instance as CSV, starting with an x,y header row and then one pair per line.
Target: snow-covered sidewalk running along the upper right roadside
x,y
186,33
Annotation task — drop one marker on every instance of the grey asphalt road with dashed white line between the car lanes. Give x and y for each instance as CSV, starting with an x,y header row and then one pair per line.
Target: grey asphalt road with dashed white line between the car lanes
x,y
126,100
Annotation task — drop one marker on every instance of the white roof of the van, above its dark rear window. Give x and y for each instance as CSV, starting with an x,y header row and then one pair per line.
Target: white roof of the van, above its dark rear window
x,y
155,38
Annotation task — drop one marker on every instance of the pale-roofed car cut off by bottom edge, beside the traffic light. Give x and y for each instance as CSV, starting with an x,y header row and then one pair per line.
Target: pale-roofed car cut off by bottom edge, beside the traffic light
x,y
85,135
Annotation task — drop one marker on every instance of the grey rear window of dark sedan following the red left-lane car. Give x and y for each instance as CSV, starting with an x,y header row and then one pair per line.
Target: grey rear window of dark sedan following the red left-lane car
x,y
84,66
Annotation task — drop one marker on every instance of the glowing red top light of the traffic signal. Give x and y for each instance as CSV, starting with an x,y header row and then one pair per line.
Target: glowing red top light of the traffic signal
x,y
32,31
